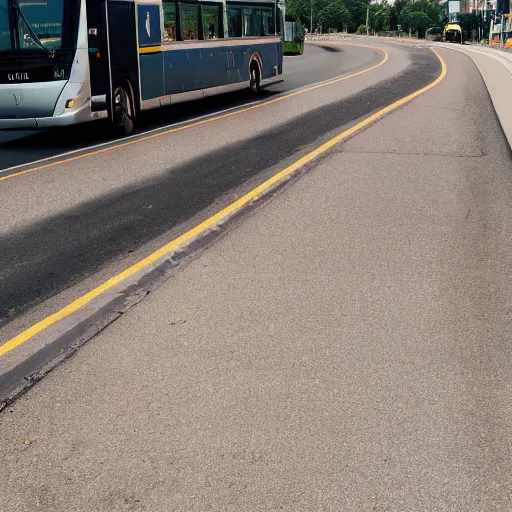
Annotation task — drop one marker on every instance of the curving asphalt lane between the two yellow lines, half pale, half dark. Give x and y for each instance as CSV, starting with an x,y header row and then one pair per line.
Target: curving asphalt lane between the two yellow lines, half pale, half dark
x,y
64,224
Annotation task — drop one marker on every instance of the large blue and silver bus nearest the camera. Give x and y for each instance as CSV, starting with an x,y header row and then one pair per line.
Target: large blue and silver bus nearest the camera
x,y
64,62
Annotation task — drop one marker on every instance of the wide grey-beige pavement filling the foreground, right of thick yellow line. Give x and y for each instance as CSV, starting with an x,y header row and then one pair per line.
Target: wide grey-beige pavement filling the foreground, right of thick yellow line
x,y
346,348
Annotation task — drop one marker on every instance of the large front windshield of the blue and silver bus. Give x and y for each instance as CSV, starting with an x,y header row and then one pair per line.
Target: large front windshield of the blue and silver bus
x,y
32,24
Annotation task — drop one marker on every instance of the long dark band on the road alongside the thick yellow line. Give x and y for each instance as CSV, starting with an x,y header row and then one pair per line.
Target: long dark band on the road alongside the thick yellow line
x,y
49,256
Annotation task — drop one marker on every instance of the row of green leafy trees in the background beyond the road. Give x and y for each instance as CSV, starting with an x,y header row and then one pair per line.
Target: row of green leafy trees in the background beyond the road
x,y
351,15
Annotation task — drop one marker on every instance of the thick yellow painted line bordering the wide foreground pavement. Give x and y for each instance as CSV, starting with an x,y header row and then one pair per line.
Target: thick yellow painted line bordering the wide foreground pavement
x,y
210,223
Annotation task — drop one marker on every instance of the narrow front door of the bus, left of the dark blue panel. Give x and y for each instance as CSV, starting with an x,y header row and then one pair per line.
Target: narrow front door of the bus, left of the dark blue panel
x,y
98,54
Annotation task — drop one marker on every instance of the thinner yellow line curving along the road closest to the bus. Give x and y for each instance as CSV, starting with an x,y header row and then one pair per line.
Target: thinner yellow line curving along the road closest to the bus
x,y
204,121
